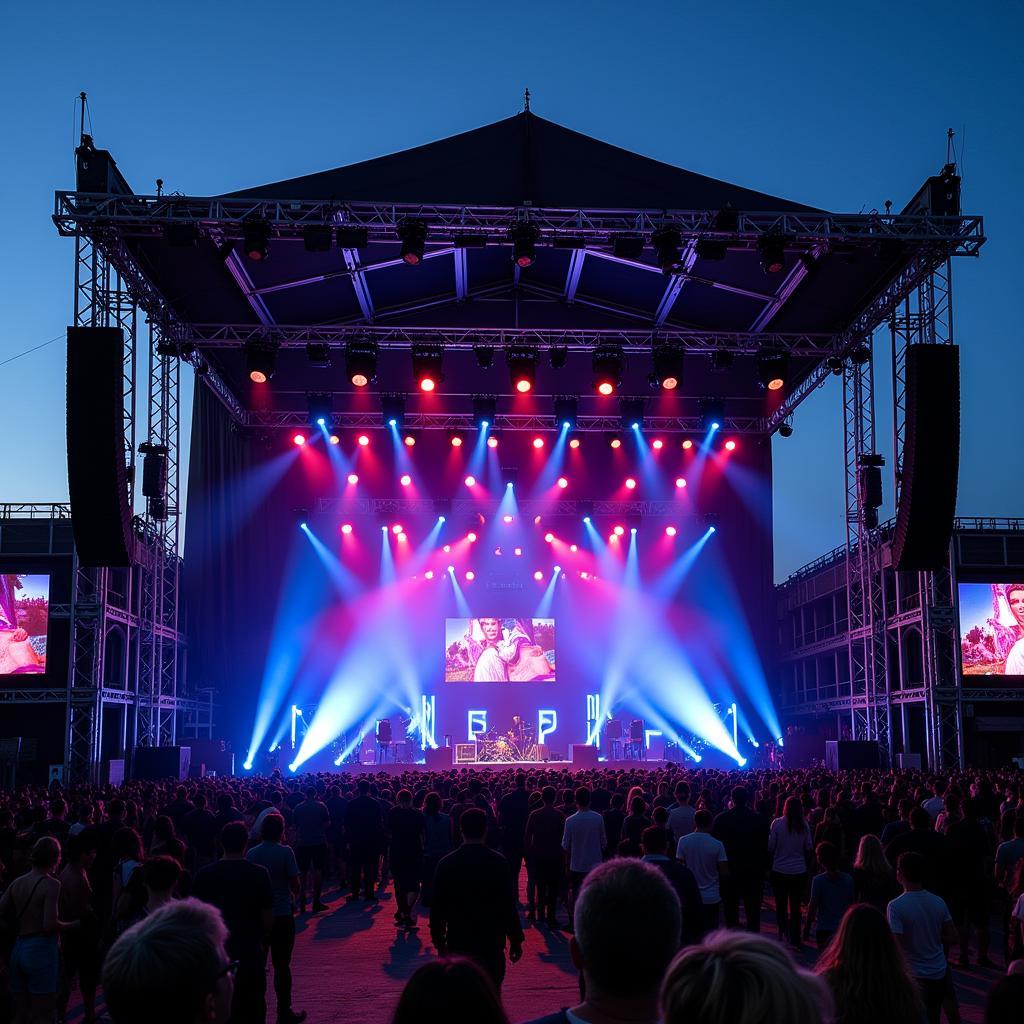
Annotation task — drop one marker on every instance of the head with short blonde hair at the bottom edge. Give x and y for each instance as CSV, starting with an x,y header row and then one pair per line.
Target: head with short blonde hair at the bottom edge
x,y
740,978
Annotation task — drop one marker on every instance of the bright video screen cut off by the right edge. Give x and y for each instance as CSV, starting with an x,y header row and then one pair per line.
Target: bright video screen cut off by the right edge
x,y
992,617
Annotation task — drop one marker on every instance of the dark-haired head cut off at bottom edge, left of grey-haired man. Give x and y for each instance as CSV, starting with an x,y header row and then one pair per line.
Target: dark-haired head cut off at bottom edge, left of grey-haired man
x,y
453,990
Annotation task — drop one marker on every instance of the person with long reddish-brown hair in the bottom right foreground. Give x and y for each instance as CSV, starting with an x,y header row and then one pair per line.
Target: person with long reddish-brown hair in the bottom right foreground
x,y
868,973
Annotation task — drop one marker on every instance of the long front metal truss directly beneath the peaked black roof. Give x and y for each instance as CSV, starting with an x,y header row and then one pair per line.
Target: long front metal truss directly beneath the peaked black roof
x,y
148,216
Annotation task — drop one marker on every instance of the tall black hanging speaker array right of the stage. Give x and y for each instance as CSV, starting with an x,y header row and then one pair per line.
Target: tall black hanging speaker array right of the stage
x,y
931,459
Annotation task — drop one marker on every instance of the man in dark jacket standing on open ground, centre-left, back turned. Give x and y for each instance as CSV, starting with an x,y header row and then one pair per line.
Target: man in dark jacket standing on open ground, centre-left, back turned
x,y
474,908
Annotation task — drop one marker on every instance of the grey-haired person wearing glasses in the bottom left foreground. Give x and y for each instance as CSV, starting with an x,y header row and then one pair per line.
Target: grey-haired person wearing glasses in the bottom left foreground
x,y
172,968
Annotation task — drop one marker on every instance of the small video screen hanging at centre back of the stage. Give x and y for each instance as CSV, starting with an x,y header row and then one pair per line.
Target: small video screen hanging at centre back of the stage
x,y
499,651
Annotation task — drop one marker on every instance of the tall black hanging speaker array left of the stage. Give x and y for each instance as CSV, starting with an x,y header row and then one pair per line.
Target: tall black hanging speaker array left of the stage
x,y
98,476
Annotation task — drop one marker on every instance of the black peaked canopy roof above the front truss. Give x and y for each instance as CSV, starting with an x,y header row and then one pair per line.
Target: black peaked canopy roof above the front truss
x,y
524,159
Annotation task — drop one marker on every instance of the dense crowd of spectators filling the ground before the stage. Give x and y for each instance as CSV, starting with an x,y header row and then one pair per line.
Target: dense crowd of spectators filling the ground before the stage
x,y
175,902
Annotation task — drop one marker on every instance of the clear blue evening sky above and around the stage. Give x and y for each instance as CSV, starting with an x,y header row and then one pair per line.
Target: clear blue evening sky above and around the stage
x,y
837,106
